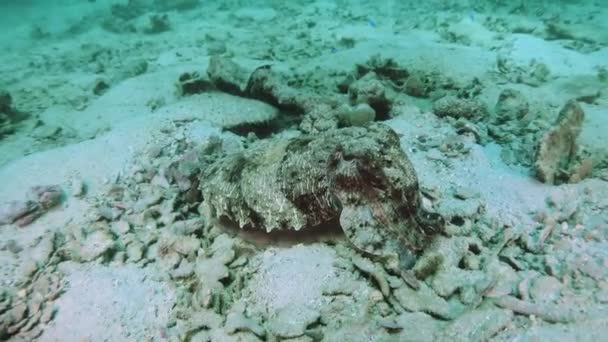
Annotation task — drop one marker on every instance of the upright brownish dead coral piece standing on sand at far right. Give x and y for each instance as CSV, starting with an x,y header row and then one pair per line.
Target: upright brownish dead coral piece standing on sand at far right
x,y
557,150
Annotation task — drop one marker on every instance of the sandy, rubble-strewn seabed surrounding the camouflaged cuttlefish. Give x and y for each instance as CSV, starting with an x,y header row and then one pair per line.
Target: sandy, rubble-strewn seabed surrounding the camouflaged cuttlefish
x,y
109,109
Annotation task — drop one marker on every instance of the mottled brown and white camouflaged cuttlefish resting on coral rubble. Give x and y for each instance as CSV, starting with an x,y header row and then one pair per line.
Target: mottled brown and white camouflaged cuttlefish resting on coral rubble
x,y
359,175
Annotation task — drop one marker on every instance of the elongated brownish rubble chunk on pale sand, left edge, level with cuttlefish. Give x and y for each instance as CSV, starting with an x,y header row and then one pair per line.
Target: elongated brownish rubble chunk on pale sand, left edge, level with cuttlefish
x,y
40,199
